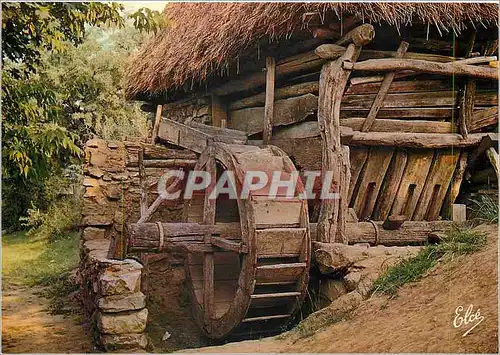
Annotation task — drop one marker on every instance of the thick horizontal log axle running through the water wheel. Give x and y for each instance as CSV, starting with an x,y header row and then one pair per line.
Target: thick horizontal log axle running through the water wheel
x,y
188,237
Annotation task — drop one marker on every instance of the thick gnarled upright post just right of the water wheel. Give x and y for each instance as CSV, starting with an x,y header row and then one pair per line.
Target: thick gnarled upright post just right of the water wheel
x,y
333,80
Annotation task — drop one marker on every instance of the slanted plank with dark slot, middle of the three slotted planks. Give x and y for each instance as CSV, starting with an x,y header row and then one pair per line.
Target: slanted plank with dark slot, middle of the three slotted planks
x,y
412,183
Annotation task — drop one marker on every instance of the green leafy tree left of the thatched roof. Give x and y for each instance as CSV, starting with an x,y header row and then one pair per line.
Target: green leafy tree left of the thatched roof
x,y
61,85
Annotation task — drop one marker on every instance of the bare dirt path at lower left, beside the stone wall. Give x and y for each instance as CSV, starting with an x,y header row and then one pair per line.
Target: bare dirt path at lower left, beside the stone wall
x,y
28,328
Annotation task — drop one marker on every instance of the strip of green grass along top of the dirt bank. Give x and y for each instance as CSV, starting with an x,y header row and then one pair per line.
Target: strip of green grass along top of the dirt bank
x,y
456,242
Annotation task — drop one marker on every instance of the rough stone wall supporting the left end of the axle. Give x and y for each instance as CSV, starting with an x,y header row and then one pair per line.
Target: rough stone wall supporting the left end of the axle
x,y
114,291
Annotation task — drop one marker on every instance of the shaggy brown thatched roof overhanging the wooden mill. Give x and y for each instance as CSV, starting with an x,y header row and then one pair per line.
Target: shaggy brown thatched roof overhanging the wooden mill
x,y
203,37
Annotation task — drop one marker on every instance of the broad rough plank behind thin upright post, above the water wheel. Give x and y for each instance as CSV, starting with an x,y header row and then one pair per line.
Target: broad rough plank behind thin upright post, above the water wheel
x,y
286,111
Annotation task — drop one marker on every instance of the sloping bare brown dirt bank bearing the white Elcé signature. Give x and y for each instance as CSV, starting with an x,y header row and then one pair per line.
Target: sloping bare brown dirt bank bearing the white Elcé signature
x,y
420,319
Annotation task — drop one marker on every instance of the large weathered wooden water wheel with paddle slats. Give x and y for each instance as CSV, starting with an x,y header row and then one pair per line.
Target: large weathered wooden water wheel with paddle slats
x,y
260,276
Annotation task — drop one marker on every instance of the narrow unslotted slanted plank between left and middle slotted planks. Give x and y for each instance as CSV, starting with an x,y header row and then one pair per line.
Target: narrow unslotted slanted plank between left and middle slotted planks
x,y
390,185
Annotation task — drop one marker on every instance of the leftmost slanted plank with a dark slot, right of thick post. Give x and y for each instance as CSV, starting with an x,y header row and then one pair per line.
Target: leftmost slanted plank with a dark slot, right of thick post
x,y
371,180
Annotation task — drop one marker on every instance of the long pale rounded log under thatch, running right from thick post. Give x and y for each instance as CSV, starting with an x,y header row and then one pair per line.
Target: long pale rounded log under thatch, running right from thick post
x,y
424,67
